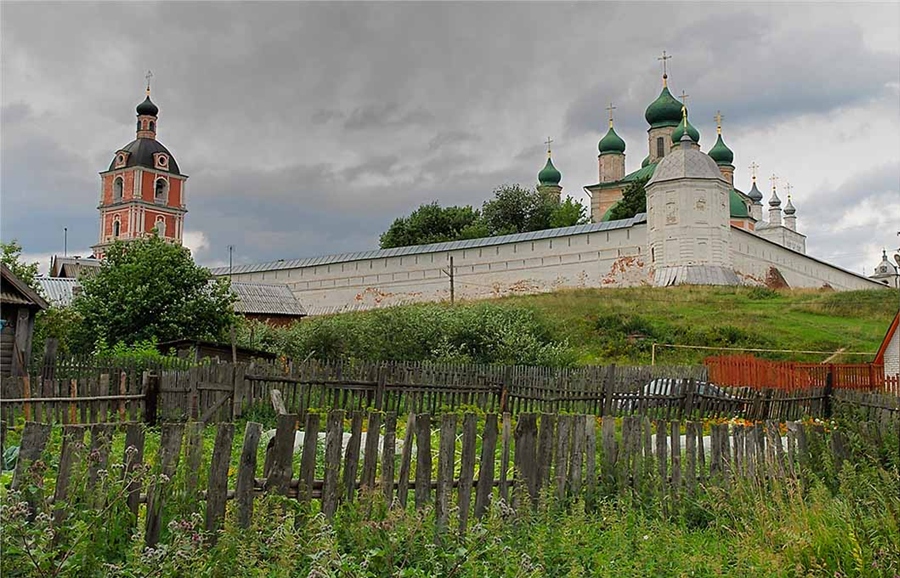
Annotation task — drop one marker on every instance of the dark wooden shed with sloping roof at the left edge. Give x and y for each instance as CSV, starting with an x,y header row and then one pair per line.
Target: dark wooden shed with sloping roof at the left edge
x,y
19,303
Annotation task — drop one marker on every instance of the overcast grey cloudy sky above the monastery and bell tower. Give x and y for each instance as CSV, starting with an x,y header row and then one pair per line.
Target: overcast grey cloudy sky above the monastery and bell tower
x,y
306,128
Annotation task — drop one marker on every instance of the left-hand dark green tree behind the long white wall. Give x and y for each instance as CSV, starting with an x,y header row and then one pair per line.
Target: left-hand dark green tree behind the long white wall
x,y
432,223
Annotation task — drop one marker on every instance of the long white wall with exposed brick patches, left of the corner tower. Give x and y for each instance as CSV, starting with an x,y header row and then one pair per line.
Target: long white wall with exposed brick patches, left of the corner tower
x,y
592,259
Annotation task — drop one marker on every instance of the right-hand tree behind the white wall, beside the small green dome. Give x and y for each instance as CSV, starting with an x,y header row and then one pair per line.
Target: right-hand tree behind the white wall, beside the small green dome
x,y
515,209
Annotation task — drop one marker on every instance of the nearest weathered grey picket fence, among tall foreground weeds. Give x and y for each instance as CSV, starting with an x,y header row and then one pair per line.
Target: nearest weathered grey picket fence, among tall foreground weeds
x,y
457,464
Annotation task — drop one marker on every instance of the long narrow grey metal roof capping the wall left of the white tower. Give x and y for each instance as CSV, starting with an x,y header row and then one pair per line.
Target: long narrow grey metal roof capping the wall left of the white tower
x,y
433,247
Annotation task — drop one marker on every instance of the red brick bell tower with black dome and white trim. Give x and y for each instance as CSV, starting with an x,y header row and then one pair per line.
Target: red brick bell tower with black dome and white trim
x,y
142,191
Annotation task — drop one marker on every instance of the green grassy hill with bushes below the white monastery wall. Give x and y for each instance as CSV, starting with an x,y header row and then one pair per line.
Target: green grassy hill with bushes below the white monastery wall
x,y
598,326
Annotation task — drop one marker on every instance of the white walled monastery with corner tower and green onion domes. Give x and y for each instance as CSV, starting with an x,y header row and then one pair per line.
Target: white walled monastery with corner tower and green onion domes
x,y
698,229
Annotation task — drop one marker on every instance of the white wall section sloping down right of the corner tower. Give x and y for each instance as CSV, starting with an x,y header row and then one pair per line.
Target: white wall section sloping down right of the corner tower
x,y
754,256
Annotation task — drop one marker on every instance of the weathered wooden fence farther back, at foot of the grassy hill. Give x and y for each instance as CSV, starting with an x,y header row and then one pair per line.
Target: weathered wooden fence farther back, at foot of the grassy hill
x,y
222,392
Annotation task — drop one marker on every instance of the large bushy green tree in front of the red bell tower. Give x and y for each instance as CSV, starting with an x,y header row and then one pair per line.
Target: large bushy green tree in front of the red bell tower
x,y
149,289
